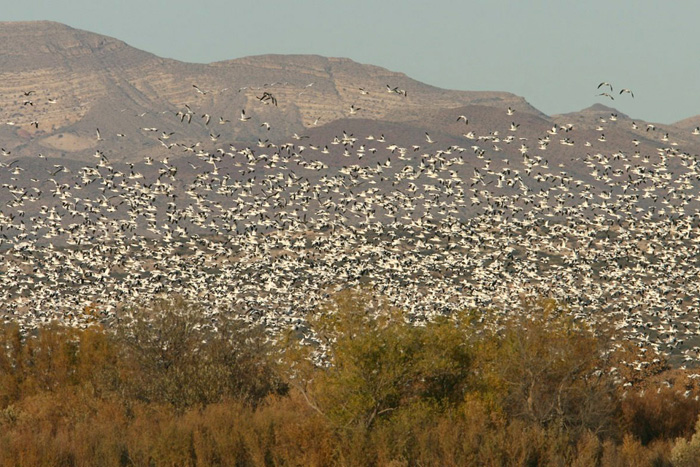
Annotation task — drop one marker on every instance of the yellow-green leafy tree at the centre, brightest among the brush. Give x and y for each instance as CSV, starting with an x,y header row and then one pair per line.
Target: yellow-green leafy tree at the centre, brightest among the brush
x,y
376,362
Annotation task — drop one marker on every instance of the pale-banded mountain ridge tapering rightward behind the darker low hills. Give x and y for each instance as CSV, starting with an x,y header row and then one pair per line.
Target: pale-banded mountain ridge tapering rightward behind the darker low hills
x,y
59,84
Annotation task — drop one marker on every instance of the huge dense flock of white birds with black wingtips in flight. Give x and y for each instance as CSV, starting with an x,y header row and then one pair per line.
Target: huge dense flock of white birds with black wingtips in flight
x,y
270,231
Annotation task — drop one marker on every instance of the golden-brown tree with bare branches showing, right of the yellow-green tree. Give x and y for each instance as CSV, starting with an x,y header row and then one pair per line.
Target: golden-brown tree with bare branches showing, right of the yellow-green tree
x,y
545,368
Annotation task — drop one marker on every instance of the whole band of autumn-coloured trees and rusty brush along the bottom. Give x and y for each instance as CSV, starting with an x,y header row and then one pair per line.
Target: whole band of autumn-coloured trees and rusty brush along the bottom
x,y
168,387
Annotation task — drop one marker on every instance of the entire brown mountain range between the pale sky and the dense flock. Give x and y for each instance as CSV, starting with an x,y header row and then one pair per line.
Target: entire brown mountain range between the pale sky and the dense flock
x,y
60,85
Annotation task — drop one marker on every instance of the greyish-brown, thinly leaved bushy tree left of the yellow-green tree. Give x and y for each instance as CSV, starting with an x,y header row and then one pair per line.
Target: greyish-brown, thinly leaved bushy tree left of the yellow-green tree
x,y
174,354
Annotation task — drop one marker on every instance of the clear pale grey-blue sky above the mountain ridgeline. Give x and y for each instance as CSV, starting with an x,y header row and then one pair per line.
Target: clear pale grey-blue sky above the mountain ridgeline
x,y
553,53
